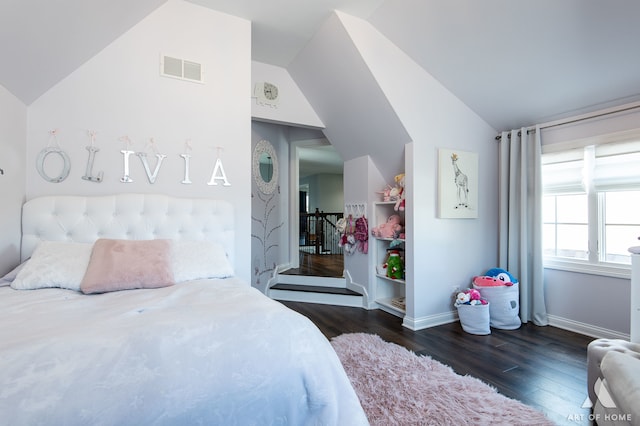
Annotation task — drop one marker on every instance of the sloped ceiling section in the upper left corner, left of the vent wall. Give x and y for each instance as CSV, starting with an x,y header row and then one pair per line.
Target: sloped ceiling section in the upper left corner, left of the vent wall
x,y
53,42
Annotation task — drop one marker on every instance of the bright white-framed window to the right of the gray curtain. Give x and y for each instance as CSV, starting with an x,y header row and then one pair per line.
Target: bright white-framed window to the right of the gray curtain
x,y
590,205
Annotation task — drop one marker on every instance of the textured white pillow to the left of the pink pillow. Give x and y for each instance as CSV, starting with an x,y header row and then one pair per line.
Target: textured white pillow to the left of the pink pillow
x,y
54,264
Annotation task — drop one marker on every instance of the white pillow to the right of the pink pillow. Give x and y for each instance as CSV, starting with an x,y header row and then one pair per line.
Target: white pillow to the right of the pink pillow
x,y
194,260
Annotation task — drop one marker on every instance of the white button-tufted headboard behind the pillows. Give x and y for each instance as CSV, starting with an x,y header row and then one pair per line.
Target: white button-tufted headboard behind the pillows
x,y
126,216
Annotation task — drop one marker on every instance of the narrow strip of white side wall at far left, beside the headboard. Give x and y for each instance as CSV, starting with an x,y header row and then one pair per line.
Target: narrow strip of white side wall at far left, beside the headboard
x,y
13,136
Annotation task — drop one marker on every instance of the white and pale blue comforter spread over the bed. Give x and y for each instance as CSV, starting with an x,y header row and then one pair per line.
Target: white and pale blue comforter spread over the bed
x,y
203,352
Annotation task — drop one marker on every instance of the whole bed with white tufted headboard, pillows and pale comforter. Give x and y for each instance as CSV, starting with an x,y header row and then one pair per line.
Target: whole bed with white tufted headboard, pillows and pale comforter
x,y
206,348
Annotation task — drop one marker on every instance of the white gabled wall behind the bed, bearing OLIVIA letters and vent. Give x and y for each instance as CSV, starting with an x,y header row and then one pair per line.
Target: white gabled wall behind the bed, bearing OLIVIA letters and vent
x,y
119,92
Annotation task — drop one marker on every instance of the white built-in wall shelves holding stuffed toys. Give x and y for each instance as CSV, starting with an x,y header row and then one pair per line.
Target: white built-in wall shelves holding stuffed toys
x,y
387,290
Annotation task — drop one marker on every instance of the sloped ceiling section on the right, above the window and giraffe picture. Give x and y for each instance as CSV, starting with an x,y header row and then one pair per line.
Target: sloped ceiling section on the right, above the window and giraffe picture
x,y
518,63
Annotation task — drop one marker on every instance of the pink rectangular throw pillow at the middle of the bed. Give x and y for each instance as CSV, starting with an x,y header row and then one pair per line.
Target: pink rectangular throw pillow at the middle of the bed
x,y
128,264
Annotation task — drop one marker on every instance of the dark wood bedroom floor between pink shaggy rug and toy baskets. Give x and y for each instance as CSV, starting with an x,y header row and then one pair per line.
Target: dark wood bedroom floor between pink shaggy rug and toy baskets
x,y
544,367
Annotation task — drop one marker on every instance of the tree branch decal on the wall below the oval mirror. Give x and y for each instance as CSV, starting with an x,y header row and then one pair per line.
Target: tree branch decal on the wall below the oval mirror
x,y
264,233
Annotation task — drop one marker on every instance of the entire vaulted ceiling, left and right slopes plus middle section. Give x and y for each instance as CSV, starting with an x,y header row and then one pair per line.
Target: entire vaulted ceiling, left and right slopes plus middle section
x,y
515,63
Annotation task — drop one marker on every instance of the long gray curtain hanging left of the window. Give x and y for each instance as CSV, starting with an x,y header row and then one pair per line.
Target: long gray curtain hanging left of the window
x,y
520,238
